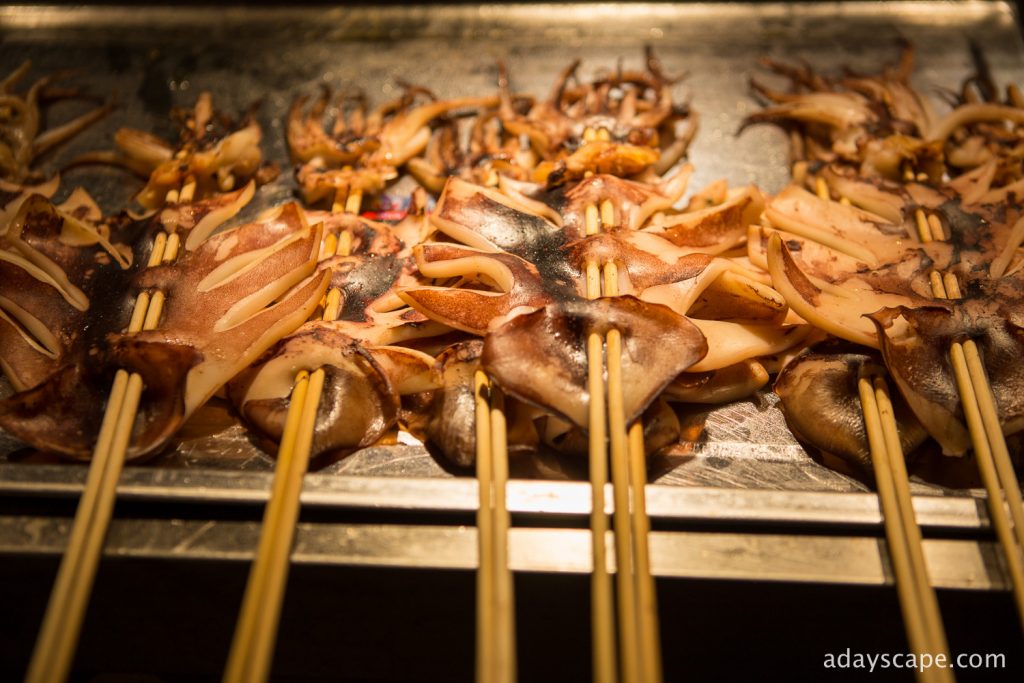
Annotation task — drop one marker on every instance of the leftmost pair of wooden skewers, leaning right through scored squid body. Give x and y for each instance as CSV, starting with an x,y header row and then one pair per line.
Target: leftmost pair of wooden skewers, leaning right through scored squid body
x,y
62,626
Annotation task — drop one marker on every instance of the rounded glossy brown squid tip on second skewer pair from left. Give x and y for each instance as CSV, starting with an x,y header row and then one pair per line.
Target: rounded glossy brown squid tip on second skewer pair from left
x,y
359,404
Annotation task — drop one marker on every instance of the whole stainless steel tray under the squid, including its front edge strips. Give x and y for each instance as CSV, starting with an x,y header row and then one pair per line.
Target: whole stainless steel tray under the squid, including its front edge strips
x,y
746,468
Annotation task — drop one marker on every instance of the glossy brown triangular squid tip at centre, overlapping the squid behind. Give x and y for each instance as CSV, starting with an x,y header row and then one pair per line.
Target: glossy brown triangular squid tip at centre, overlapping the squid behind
x,y
541,358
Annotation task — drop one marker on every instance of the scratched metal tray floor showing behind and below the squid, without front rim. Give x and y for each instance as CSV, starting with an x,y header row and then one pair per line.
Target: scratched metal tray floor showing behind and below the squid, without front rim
x,y
151,60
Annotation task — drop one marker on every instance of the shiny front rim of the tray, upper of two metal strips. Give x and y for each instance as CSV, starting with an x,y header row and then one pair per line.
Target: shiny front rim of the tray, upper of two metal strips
x,y
553,498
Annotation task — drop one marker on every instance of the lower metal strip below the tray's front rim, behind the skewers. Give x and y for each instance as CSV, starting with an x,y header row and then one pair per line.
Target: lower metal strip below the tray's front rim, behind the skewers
x,y
861,561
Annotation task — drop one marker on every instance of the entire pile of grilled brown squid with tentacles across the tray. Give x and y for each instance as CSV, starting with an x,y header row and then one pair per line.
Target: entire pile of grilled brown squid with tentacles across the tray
x,y
537,200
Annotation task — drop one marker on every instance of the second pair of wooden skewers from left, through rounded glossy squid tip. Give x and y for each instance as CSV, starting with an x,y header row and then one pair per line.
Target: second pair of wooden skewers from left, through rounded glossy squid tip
x,y
252,647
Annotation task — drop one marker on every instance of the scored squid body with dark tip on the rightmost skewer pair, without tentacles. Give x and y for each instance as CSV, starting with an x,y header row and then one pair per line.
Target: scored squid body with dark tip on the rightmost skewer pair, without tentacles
x,y
914,330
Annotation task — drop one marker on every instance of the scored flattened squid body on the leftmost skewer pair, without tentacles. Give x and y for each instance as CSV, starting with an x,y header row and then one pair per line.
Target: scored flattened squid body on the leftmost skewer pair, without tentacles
x,y
70,281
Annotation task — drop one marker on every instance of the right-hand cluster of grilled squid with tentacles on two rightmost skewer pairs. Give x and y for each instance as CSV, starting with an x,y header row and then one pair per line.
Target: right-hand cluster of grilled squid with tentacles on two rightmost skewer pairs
x,y
859,259
